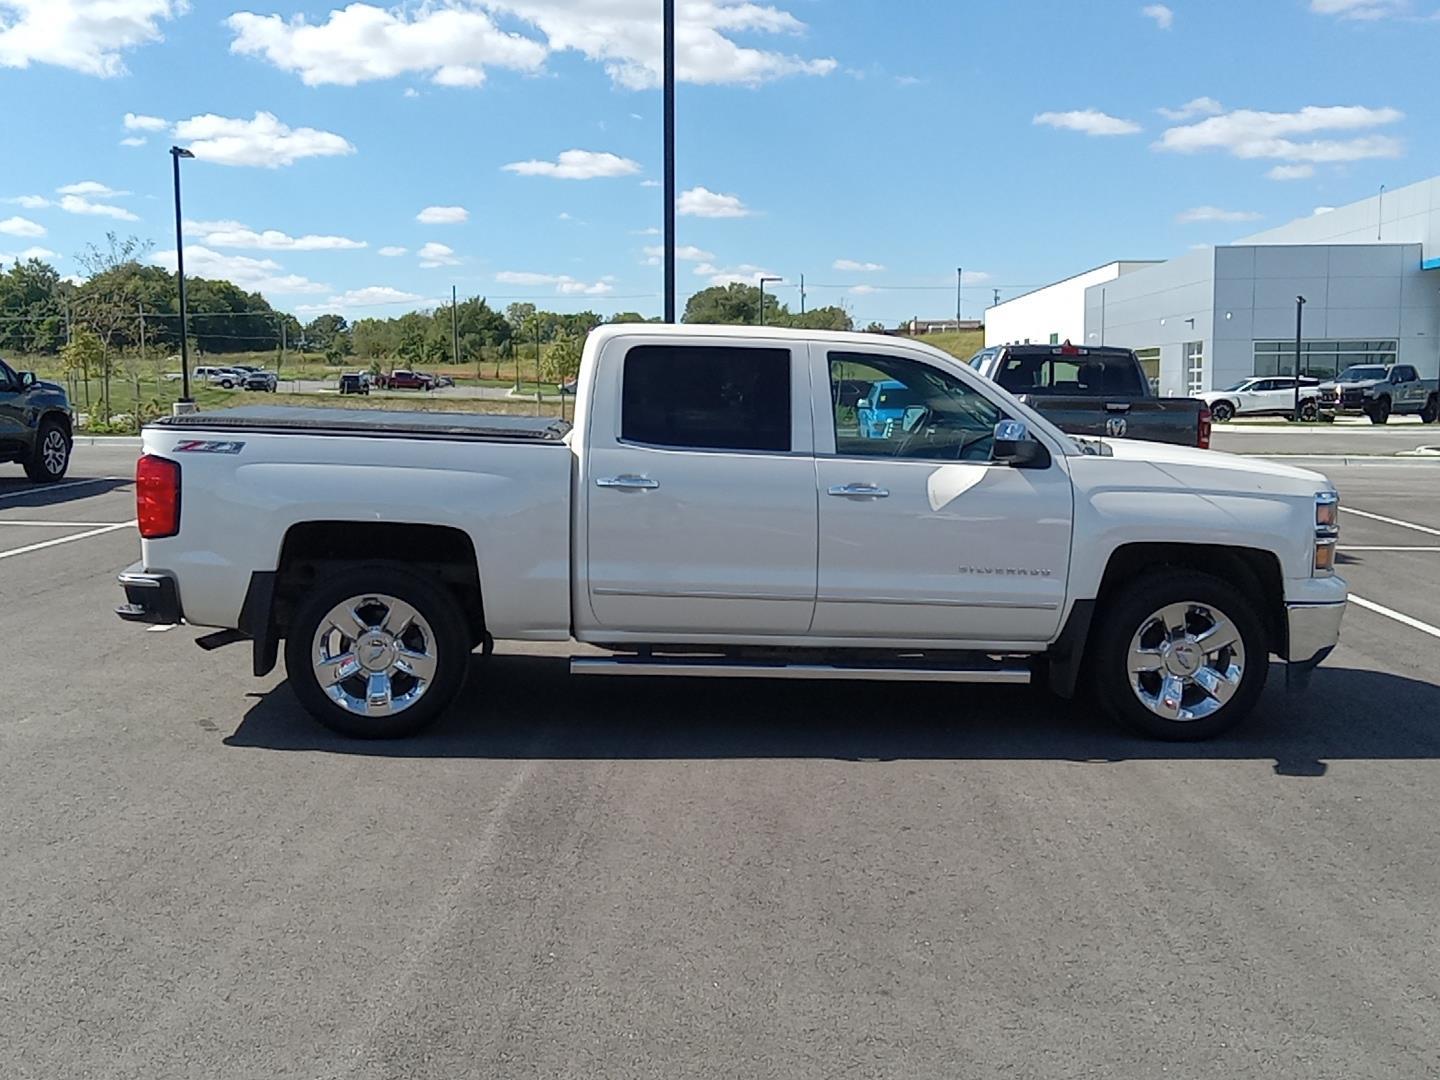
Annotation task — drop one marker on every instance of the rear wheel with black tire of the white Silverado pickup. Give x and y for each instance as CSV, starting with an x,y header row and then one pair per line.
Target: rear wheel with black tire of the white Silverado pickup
x,y
378,653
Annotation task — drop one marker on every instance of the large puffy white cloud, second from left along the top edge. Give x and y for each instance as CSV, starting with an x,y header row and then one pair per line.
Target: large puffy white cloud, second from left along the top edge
x,y
362,42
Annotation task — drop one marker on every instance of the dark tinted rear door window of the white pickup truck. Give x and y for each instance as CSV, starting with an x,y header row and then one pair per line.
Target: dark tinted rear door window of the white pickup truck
x,y
708,398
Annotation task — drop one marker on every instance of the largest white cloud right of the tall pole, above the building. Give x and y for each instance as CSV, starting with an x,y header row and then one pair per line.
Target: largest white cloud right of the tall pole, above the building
x,y
1254,135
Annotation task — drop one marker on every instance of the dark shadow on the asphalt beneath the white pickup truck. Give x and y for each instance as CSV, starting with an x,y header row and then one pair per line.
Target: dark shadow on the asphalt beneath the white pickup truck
x,y
529,708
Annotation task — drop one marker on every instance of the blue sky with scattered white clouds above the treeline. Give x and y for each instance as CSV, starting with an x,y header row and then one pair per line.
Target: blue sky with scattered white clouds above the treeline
x,y
870,146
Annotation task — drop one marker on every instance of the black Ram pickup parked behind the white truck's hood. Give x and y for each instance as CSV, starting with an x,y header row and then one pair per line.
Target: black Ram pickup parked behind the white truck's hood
x,y
1098,392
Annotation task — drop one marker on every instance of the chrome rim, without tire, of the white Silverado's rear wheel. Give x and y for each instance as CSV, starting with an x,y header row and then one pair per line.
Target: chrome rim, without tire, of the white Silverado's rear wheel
x,y
375,656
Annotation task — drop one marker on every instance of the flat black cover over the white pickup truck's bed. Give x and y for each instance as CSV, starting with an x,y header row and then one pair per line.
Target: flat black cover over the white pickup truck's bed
x,y
282,420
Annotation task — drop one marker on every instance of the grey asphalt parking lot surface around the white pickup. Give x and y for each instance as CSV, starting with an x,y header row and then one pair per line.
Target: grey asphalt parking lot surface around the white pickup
x,y
613,879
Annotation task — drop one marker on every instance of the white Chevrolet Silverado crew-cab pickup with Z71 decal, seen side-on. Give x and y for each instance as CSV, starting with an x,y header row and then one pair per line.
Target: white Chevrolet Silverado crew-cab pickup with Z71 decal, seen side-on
x,y
718,510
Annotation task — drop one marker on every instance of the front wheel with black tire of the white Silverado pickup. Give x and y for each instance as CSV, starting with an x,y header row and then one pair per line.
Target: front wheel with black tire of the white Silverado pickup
x,y
1182,656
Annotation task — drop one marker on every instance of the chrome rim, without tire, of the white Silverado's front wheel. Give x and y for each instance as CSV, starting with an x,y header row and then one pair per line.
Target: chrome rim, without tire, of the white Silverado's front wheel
x,y
1187,662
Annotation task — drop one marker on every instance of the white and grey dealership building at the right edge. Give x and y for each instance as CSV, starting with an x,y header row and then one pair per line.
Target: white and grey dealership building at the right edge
x,y
1370,274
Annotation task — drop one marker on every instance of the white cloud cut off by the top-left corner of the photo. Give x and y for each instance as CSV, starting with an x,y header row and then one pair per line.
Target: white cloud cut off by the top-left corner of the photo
x,y
83,35
